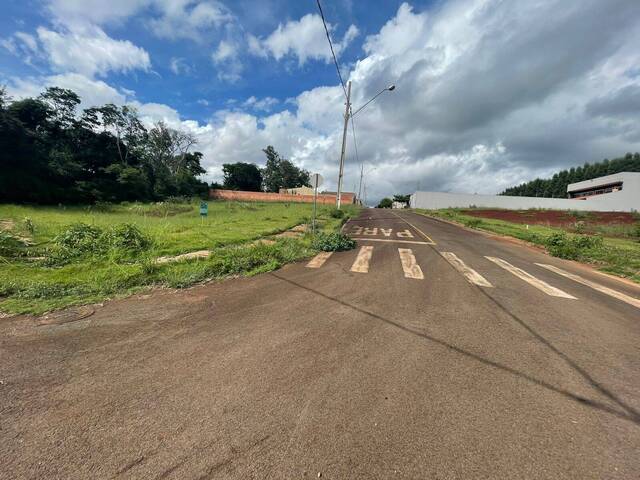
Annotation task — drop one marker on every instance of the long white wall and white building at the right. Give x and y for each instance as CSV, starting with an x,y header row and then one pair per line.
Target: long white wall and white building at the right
x,y
619,192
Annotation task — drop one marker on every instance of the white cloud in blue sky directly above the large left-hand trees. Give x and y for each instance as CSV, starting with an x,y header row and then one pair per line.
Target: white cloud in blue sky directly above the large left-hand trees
x,y
91,52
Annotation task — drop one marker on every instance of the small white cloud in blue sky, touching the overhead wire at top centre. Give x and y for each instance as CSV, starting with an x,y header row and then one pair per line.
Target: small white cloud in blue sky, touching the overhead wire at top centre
x,y
304,39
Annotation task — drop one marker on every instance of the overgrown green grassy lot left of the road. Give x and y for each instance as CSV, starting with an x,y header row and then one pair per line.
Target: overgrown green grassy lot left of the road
x,y
53,257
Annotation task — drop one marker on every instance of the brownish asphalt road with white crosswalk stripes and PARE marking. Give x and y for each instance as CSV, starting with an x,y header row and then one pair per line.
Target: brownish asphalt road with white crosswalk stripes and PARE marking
x,y
414,356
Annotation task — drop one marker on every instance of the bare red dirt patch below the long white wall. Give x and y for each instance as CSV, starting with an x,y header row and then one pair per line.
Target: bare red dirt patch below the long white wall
x,y
555,218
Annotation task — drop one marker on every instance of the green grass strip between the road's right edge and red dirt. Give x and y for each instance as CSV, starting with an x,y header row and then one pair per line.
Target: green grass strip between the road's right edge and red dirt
x,y
619,256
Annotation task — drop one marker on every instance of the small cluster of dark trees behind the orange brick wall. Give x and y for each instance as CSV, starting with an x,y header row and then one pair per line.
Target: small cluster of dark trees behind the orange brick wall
x,y
278,173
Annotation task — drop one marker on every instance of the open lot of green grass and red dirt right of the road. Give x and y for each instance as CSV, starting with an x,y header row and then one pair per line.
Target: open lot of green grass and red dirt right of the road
x,y
594,238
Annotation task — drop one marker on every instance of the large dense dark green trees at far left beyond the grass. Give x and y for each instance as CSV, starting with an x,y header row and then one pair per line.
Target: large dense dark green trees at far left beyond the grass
x,y
51,153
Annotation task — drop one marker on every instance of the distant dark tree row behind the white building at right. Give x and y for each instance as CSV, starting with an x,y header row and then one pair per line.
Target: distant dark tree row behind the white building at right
x,y
556,186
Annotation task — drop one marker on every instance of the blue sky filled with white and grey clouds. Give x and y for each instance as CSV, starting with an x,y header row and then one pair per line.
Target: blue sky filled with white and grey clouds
x,y
490,93
